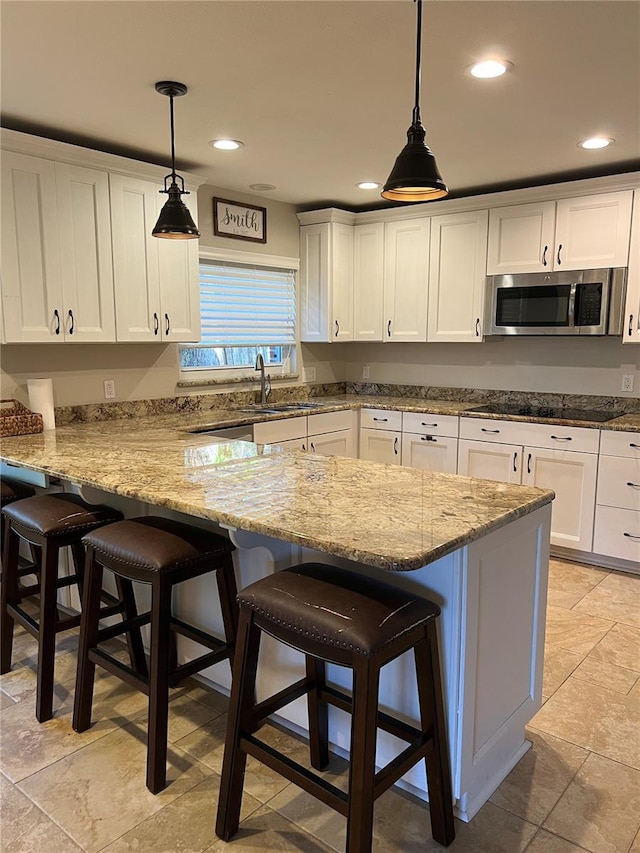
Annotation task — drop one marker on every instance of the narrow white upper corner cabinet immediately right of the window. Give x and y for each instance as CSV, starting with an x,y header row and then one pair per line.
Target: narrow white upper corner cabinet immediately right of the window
x,y
326,288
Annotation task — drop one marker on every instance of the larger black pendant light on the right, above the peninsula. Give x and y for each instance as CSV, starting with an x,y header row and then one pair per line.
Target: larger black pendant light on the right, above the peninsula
x,y
415,175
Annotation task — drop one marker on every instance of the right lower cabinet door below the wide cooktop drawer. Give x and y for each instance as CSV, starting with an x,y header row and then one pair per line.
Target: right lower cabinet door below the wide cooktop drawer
x,y
572,476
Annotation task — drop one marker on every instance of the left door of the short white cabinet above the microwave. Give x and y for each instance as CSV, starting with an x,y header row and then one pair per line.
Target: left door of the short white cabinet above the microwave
x,y
521,238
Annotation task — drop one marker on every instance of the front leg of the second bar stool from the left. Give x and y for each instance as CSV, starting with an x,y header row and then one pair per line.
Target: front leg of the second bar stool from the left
x,y
47,638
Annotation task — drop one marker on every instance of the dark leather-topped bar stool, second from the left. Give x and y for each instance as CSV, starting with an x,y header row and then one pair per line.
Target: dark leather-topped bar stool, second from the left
x,y
48,522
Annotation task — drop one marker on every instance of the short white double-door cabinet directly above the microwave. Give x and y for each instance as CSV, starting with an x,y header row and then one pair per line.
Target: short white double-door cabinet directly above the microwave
x,y
575,233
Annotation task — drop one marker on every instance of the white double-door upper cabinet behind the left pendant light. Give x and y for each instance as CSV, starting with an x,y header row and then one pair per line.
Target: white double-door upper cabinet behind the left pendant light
x,y
156,281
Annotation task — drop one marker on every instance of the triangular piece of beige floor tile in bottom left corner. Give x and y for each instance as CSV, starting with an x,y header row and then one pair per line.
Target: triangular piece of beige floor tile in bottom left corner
x,y
25,828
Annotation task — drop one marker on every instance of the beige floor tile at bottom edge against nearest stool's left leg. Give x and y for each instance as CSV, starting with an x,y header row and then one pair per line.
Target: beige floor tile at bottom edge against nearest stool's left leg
x,y
186,824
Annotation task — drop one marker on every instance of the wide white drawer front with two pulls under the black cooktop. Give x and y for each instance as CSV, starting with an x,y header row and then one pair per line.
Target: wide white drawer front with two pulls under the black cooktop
x,y
552,436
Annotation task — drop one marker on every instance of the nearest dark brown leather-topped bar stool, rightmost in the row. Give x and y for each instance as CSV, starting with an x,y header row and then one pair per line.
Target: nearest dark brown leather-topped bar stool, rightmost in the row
x,y
342,618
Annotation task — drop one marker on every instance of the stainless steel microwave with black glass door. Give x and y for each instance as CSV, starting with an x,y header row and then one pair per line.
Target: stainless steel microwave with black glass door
x,y
578,302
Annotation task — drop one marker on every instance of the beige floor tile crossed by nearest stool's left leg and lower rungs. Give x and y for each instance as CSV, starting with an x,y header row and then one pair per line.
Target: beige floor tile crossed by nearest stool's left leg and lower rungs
x,y
207,745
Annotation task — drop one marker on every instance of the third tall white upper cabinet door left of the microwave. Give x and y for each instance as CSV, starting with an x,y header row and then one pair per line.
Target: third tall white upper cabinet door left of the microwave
x,y
368,281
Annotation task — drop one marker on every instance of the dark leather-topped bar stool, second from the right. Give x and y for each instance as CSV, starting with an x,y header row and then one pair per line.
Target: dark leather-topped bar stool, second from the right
x,y
161,553
